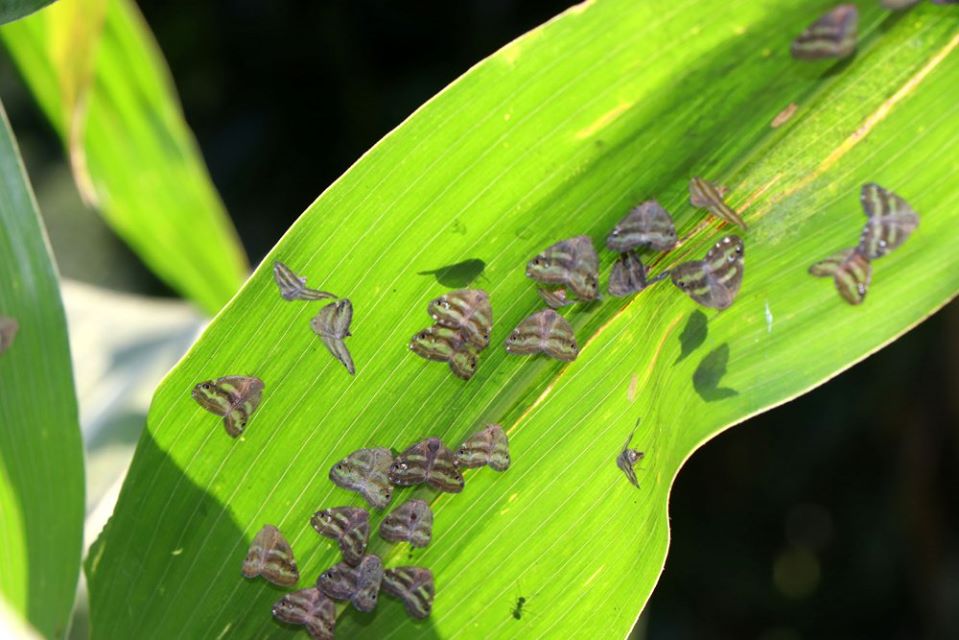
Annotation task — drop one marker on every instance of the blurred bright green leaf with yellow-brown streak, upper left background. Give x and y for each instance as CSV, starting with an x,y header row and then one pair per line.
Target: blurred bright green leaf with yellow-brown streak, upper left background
x,y
99,77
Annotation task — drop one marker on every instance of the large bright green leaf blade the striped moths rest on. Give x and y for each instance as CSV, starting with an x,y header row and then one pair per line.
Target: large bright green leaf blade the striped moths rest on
x,y
556,135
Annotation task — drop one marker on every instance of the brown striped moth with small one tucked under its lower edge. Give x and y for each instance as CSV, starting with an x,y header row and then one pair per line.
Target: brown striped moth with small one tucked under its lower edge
x,y
572,263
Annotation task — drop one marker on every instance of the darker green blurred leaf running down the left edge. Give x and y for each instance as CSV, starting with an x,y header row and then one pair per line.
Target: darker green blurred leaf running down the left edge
x,y
41,458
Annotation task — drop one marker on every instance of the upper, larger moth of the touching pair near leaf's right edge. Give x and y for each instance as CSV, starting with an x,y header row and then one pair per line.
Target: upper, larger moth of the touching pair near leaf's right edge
x,y
891,221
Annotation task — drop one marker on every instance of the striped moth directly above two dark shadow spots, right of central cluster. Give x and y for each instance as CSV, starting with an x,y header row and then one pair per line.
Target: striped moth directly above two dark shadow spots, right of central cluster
x,y
715,280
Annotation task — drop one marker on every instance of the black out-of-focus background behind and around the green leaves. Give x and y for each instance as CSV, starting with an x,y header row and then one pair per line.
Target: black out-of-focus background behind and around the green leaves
x,y
833,516
